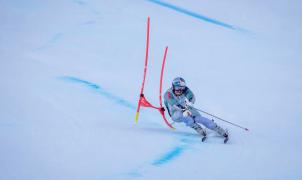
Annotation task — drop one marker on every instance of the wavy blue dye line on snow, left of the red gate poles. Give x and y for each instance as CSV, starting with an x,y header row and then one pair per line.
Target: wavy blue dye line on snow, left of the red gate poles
x,y
101,91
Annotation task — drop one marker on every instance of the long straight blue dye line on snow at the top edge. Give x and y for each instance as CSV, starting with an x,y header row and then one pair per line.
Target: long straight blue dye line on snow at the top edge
x,y
195,15
